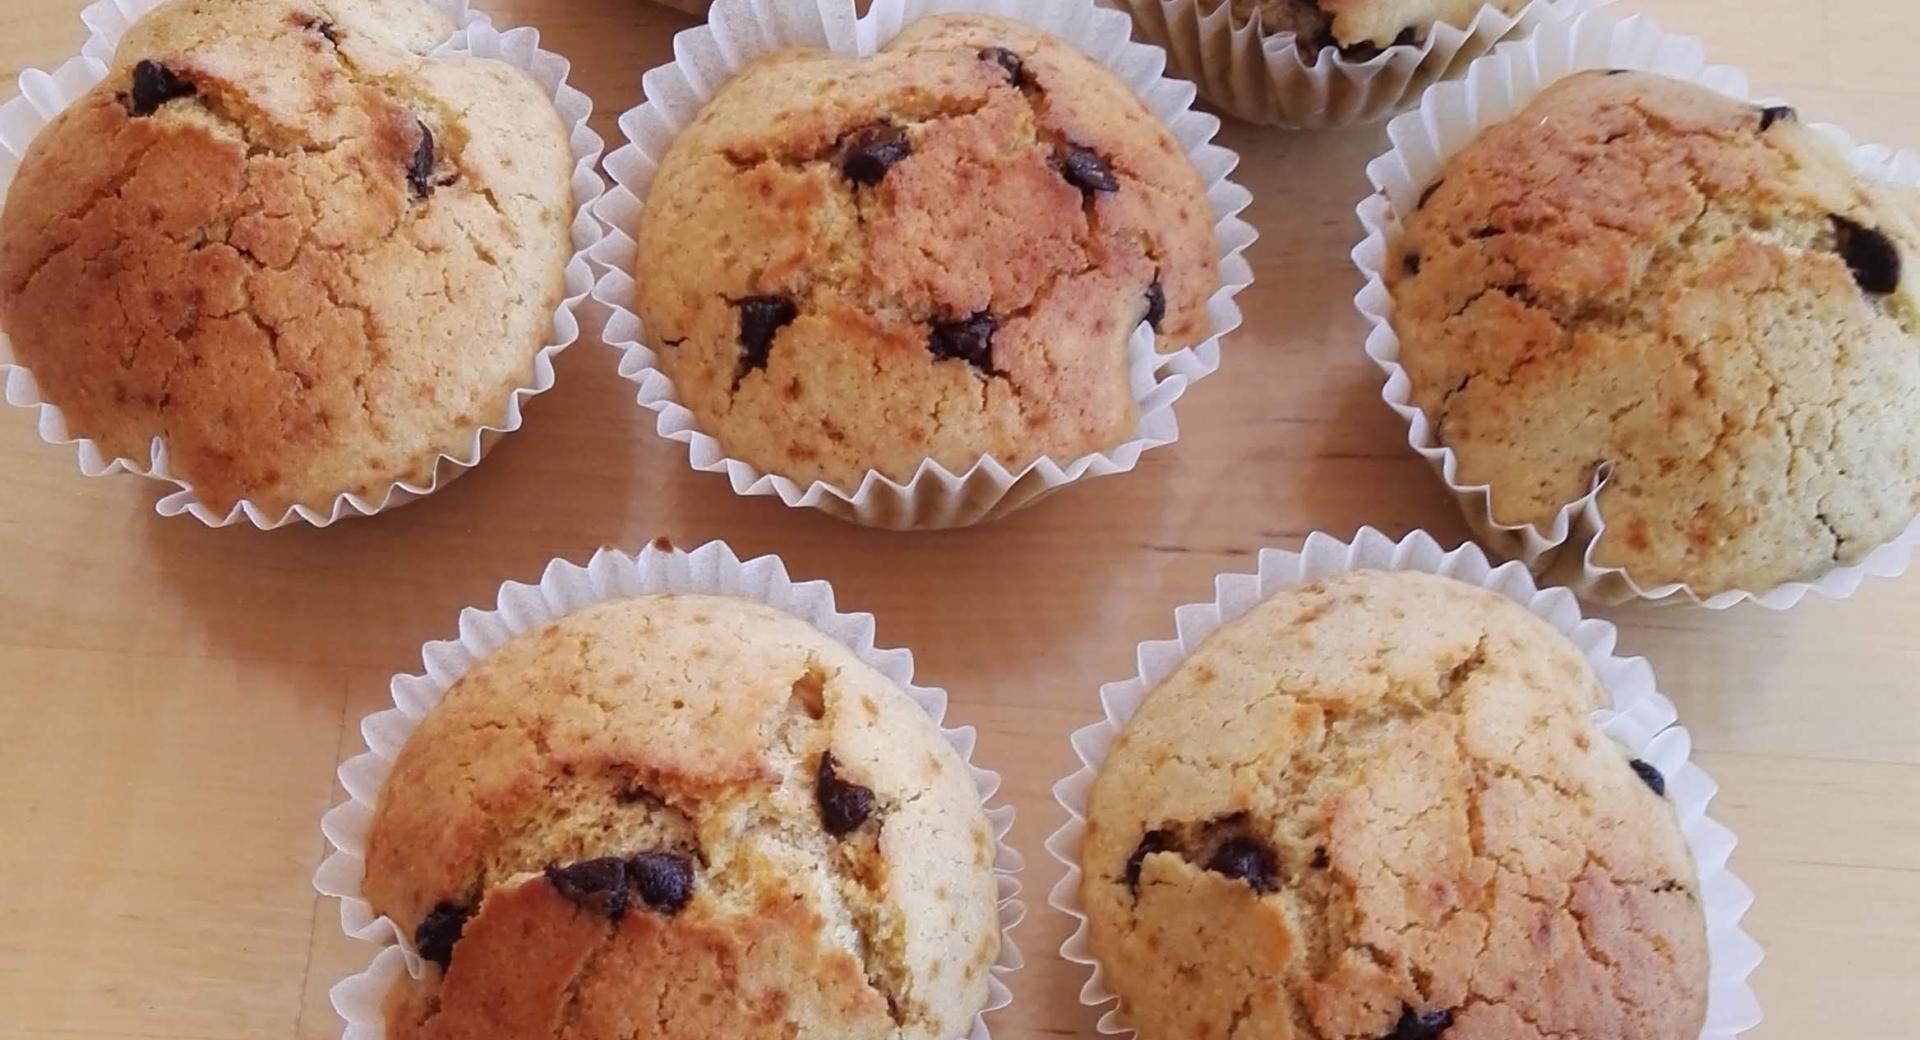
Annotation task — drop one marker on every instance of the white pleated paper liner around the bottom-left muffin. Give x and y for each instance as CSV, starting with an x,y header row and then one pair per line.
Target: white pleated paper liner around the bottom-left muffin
x,y
564,590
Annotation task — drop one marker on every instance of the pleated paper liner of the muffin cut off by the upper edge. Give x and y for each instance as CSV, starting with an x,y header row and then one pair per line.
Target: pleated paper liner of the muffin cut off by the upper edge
x,y
1266,80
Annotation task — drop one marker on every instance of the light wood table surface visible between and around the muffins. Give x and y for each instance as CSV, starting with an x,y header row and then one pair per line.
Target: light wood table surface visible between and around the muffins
x,y
174,699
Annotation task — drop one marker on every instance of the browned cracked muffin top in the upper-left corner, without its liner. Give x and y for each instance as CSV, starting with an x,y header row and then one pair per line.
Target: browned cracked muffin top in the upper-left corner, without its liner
x,y
279,239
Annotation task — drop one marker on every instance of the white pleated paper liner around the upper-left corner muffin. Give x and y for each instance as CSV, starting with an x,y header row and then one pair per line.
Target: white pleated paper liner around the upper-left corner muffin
x,y
47,95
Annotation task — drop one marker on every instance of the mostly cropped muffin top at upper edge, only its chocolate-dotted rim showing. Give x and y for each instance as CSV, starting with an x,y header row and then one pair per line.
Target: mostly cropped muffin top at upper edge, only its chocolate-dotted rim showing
x,y
1360,28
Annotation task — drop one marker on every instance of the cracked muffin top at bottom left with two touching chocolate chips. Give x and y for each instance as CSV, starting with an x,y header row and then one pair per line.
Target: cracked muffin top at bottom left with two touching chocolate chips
x,y
684,816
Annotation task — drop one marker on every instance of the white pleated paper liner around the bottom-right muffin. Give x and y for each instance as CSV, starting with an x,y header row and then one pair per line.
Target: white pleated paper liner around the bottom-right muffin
x,y
1641,719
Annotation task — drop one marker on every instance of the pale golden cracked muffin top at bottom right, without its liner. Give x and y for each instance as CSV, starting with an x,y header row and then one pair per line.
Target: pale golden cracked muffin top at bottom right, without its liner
x,y
1378,809
